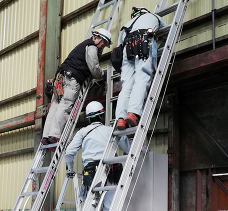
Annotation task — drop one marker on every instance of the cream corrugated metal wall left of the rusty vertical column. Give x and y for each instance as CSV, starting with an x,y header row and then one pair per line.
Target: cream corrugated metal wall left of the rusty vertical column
x,y
18,70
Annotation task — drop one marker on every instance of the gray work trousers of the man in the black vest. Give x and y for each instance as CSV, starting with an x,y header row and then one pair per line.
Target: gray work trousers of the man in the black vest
x,y
59,112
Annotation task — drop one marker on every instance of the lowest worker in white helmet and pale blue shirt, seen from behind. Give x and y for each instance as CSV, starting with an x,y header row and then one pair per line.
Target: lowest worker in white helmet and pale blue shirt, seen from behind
x,y
93,140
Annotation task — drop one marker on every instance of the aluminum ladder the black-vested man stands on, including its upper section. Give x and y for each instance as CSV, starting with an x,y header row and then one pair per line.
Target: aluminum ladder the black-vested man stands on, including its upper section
x,y
52,169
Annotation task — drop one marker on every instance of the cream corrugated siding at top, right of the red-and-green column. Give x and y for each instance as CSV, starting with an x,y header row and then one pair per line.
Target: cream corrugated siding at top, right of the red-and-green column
x,y
79,26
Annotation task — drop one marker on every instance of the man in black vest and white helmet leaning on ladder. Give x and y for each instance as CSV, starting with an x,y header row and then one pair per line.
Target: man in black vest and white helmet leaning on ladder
x,y
81,63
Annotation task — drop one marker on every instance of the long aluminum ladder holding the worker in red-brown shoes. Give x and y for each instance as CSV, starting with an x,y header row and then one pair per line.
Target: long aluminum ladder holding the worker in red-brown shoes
x,y
97,187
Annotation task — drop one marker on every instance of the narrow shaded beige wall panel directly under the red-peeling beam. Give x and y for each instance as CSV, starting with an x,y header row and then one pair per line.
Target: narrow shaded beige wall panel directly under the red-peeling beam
x,y
17,139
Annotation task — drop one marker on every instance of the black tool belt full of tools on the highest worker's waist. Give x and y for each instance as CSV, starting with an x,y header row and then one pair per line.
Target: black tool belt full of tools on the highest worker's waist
x,y
137,44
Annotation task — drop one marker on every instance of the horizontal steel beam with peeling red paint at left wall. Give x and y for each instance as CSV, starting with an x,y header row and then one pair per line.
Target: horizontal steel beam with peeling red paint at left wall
x,y
17,122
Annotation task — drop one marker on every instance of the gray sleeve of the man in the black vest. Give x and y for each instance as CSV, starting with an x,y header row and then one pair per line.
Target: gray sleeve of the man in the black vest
x,y
93,62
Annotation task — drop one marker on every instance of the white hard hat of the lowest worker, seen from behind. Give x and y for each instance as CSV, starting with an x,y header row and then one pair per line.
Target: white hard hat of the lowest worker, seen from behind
x,y
94,109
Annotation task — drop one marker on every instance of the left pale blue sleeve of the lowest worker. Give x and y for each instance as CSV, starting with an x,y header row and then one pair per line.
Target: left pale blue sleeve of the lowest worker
x,y
73,149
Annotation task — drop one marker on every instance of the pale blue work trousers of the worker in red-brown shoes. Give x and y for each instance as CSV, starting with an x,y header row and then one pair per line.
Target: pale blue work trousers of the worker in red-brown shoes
x,y
136,77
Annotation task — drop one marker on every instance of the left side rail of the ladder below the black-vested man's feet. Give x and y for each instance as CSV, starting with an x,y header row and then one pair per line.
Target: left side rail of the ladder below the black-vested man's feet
x,y
36,163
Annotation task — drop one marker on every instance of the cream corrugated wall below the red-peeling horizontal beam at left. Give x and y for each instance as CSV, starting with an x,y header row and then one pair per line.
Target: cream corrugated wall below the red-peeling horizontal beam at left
x,y
14,168
